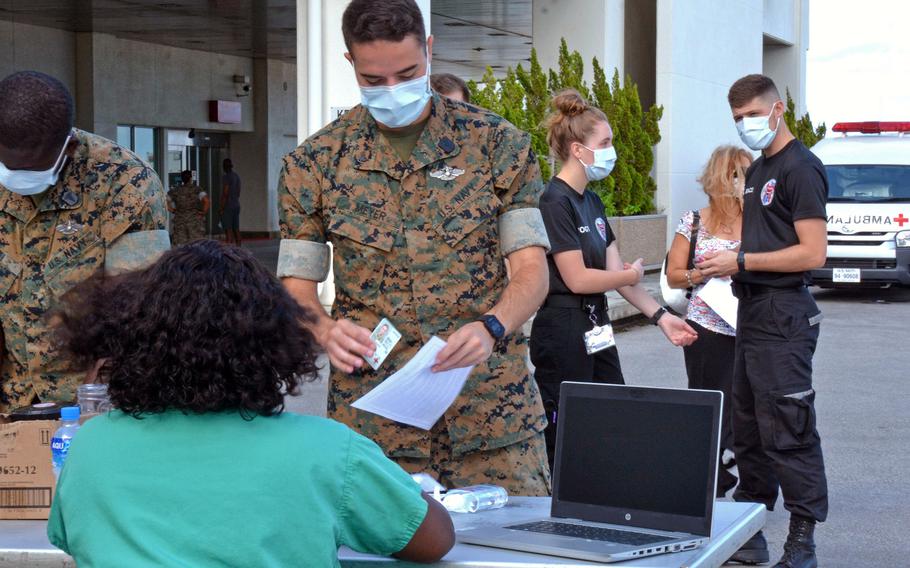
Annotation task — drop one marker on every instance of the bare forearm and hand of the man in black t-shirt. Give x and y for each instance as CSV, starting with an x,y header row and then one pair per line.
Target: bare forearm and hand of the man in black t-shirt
x,y
810,252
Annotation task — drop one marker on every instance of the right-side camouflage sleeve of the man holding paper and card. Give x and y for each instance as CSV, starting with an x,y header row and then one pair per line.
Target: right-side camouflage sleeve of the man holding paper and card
x,y
516,176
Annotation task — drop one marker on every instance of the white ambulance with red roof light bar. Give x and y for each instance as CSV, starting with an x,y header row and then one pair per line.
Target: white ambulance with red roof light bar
x,y
868,167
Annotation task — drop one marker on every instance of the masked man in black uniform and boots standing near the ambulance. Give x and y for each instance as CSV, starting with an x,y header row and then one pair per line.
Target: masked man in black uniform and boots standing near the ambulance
x,y
783,238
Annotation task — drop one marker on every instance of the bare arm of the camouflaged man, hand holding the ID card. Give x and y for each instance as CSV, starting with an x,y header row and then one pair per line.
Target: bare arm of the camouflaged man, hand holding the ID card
x,y
345,342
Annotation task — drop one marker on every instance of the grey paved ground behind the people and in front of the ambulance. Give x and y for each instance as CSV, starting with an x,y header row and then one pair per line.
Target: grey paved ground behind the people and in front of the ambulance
x,y
862,374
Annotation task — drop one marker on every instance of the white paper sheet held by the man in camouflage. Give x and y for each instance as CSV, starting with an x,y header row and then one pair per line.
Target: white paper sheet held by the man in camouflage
x,y
416,395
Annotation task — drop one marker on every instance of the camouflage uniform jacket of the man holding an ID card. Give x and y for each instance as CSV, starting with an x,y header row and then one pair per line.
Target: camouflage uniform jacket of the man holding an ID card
x,y
422,243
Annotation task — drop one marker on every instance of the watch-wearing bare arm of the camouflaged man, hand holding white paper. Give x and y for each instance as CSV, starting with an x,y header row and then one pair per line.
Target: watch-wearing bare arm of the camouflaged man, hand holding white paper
x,y
472,344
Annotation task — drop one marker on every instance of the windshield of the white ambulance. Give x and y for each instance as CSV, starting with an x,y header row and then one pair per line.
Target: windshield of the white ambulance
x,y
868,183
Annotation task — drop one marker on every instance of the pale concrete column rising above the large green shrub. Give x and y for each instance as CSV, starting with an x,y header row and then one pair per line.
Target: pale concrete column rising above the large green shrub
x,y
594,28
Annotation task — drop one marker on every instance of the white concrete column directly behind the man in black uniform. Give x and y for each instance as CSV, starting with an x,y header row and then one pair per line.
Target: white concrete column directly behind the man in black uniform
x,y
702,48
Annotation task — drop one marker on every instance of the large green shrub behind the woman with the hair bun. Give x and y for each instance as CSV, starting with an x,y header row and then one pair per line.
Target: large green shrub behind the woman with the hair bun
x,y
523,98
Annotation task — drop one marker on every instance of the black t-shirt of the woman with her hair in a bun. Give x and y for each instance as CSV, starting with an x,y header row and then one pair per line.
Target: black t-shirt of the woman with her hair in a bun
x,y
574,222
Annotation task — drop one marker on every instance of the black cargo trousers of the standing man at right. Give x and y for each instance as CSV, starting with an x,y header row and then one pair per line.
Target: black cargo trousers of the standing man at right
x,y
775,440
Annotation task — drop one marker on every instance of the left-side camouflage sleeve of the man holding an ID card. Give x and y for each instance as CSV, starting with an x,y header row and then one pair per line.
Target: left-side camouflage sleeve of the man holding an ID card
x,y
303,252
